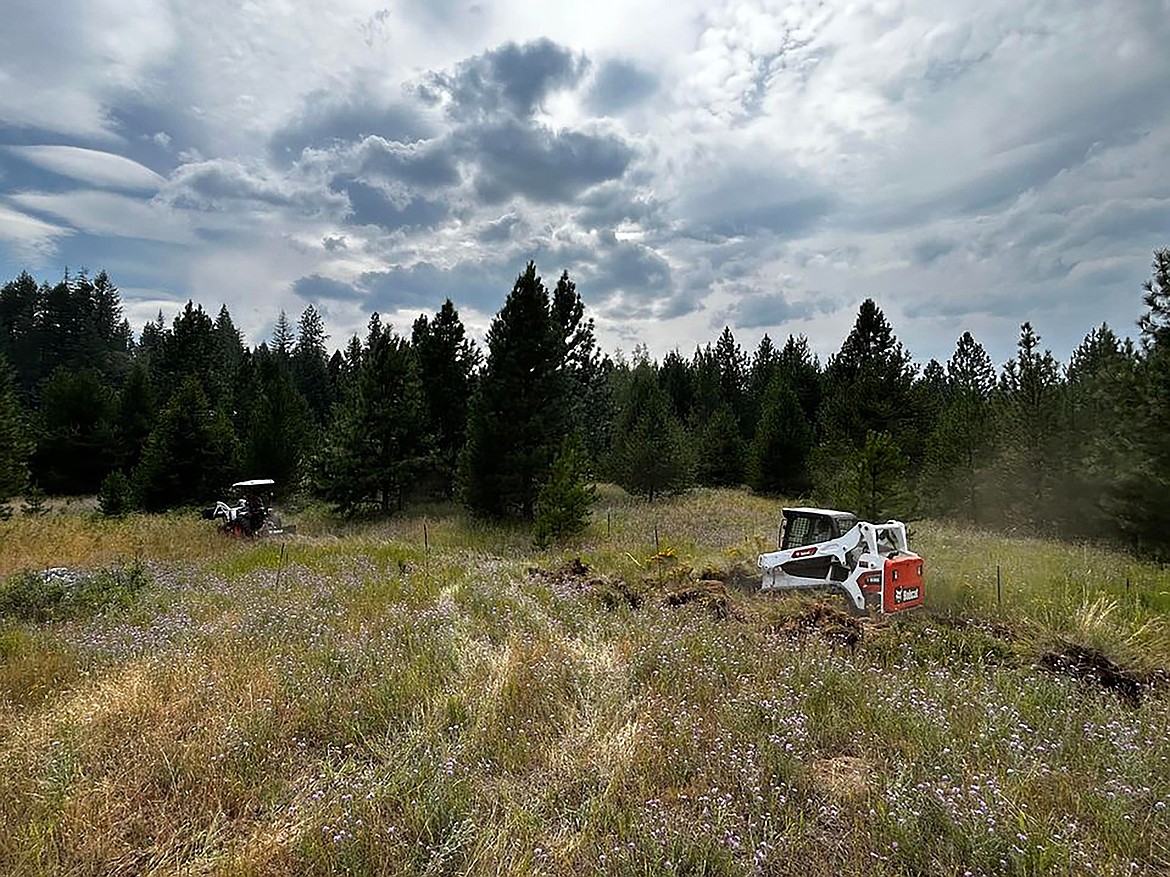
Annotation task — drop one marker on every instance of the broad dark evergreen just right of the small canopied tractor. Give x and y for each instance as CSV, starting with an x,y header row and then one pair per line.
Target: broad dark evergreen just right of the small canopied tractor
x,y
378,445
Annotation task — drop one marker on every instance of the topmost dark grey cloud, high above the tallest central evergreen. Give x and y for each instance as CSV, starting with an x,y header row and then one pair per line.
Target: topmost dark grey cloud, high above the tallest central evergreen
x,y
511,80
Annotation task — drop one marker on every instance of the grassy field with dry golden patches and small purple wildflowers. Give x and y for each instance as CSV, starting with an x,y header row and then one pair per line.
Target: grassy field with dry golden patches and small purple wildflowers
x,y
431,696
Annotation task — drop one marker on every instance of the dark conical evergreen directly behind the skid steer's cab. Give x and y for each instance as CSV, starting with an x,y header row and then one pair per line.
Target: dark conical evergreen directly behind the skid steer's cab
x,y
779,457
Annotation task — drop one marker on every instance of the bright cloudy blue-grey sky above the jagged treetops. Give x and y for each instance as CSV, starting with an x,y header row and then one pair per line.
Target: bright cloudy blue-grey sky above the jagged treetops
x,y
692,165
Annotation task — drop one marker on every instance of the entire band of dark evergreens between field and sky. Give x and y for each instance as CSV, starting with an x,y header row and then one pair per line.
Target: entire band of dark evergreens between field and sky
x,y
521,429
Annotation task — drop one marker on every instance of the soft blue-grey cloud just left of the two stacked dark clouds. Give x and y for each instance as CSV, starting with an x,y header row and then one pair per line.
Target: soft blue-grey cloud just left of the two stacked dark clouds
x,y
326,120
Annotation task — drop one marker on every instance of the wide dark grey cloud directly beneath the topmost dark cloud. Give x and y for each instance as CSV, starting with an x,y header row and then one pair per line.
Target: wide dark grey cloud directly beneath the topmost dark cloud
x,y
542,165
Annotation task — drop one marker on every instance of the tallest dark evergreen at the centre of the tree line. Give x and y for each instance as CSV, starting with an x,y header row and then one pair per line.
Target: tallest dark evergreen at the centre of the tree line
x,y
522,409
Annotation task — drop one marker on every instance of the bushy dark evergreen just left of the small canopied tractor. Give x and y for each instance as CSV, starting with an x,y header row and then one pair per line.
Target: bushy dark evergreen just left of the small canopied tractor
x,y
191,454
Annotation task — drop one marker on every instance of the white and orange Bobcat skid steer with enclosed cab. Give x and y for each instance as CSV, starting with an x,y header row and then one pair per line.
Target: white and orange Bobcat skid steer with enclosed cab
x,y
824,550
